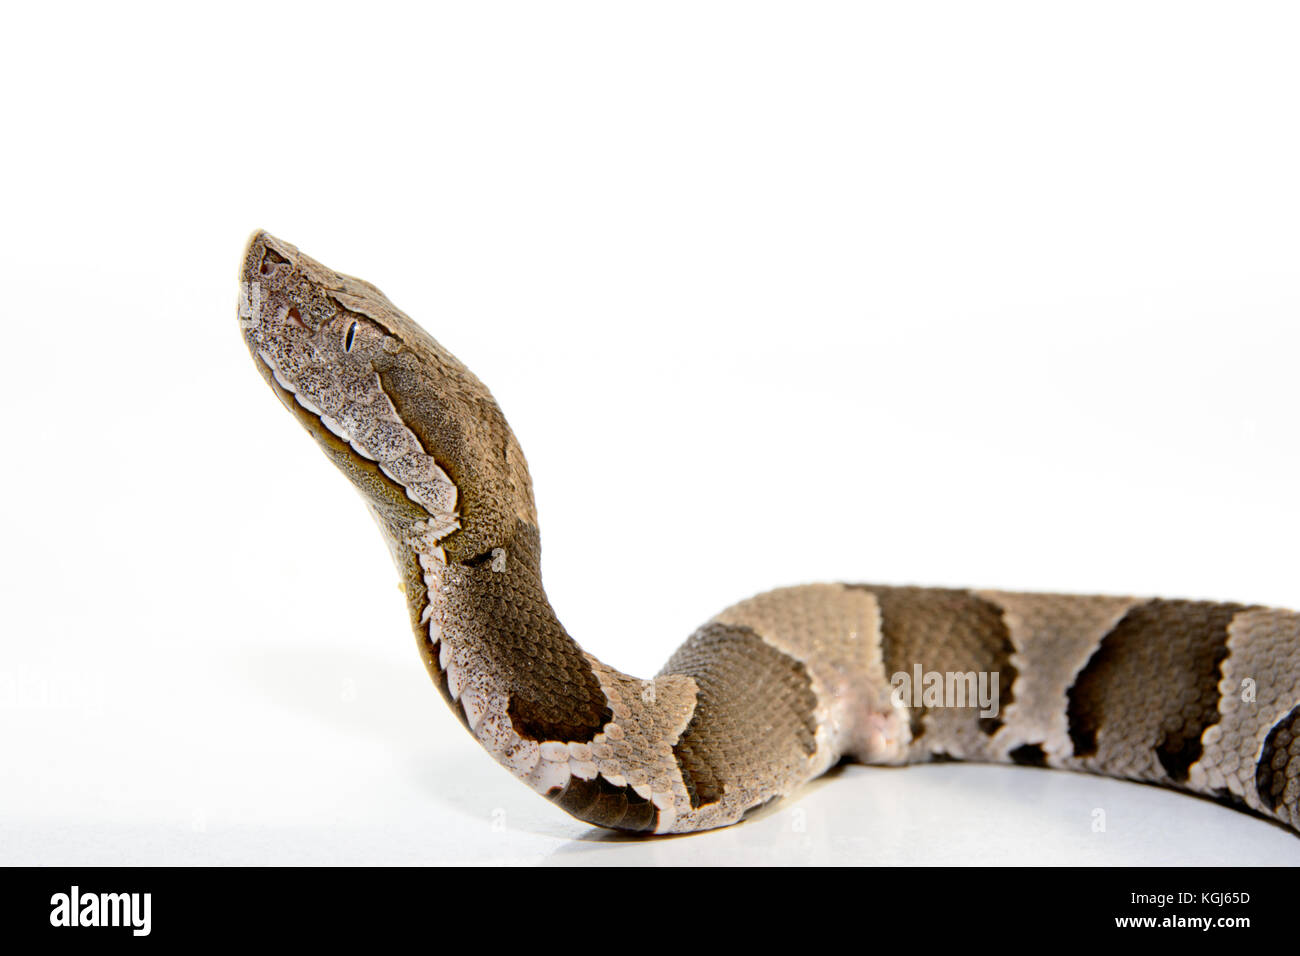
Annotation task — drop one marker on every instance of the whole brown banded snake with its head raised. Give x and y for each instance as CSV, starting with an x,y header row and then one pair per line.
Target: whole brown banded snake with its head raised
x,y
1198,697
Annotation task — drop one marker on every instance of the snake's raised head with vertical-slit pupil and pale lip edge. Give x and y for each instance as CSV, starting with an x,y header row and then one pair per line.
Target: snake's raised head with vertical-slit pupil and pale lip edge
x,y
401,417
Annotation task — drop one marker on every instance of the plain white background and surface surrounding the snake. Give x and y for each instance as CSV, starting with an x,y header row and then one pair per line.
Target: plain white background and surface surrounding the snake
x,y
956,295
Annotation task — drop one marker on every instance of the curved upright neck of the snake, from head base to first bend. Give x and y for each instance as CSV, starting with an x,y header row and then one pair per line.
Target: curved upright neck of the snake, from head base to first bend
x,y
592,739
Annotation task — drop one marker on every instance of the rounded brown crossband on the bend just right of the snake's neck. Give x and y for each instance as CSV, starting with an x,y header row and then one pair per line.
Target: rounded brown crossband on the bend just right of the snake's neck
x,y
755,715
